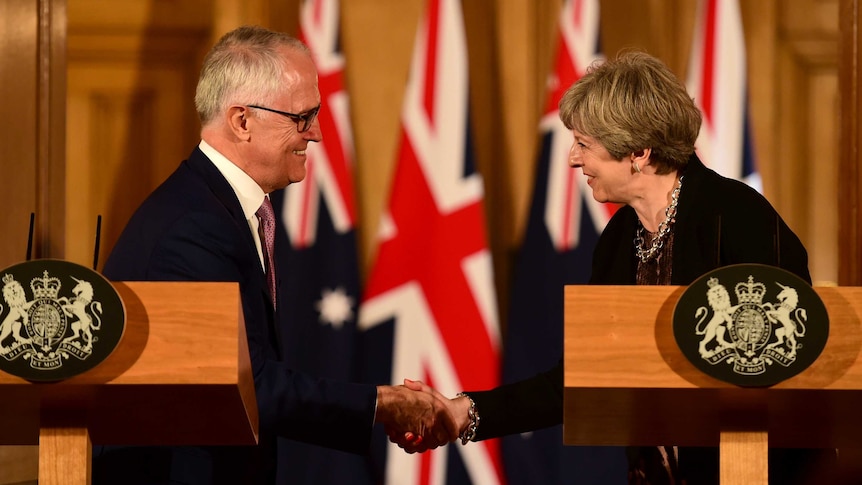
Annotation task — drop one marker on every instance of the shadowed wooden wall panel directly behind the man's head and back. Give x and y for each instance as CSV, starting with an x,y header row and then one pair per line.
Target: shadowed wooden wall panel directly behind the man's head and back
x,y
131,77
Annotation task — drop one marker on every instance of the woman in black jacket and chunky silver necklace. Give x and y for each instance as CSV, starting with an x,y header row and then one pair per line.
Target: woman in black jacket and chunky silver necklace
x,y
634,128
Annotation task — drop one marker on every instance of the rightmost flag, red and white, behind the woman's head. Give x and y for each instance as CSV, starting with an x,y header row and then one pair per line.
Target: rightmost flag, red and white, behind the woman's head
x,y
717,82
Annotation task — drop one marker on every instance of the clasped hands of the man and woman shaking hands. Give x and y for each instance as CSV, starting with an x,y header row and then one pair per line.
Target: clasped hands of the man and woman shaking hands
x,y
418,418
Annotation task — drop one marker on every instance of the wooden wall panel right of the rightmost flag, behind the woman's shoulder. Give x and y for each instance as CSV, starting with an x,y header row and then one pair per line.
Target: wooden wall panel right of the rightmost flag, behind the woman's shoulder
x,y
806,165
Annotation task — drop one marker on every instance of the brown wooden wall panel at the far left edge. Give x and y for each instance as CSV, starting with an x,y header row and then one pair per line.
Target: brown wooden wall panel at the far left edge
x,y
32,86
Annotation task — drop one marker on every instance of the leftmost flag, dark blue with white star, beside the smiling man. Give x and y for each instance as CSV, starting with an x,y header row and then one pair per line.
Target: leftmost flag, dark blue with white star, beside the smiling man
x,y
320,271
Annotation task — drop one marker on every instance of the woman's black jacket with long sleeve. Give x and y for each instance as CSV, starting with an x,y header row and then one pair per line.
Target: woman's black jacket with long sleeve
x,y
719,222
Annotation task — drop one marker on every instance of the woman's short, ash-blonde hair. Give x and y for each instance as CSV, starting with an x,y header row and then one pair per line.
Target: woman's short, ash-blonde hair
x,y
632,103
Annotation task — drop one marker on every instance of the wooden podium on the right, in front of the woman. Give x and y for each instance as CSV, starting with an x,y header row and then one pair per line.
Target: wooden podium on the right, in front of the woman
x,y
627,383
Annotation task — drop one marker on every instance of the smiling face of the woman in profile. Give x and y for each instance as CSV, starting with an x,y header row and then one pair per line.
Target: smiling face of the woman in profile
x,y
610,179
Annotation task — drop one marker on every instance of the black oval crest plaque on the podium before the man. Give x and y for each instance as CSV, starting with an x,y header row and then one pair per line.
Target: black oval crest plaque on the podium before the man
x,y
71,320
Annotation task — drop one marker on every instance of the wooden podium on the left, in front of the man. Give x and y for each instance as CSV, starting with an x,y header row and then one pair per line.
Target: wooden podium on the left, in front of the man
x,y
181,375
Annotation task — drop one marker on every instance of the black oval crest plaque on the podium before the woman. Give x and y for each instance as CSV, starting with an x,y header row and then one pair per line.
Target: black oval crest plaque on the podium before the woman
x,y
758,338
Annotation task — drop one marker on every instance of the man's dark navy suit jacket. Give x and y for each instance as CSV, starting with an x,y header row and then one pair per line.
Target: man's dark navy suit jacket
x,y
191,228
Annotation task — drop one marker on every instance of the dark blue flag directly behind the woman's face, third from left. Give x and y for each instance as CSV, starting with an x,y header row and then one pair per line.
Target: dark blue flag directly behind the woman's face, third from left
x,y
562,229
